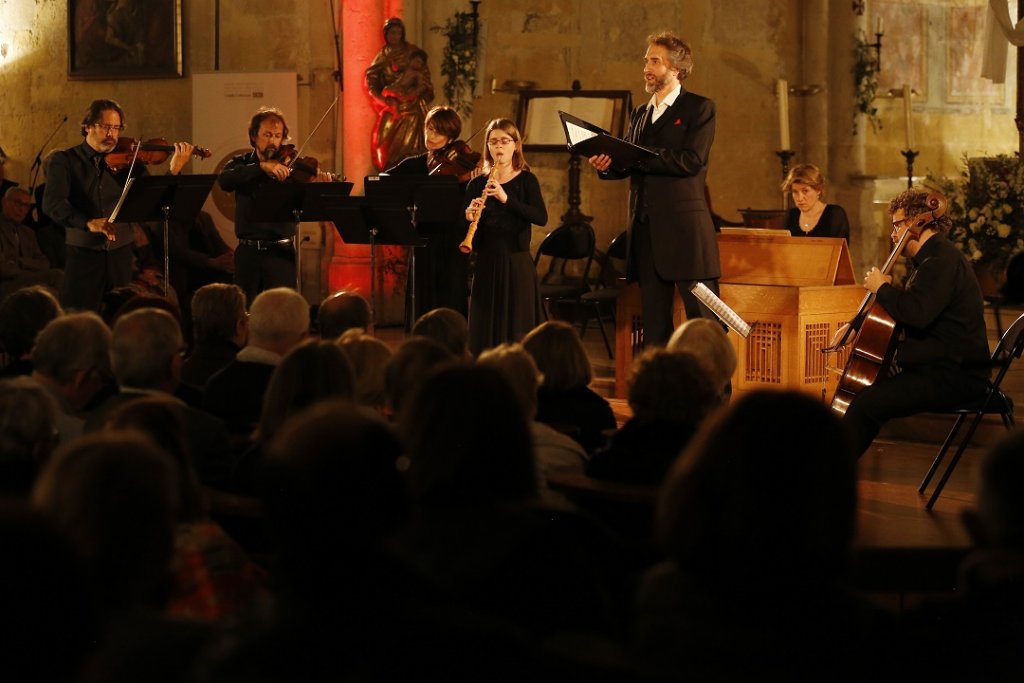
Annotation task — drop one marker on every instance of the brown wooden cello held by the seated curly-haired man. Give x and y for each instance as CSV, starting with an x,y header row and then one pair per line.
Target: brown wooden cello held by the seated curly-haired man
x,y
875,347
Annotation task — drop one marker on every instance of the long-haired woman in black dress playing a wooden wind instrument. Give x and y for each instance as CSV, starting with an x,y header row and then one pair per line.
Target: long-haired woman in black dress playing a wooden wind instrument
x,y
504,205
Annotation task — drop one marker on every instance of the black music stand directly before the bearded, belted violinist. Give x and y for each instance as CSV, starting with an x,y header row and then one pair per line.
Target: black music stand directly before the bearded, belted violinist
x,y
293,203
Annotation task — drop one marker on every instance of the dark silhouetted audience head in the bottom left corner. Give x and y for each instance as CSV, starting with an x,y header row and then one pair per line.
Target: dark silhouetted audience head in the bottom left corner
x,y
50,626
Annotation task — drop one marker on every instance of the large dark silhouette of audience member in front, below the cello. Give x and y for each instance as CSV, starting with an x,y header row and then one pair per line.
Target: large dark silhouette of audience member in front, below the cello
x,y
757,519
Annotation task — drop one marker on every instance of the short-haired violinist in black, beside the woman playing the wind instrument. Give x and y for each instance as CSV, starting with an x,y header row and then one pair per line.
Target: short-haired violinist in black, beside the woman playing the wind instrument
x,y
442,271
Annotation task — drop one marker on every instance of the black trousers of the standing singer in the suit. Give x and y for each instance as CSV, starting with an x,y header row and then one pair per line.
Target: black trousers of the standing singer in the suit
x,y
657,294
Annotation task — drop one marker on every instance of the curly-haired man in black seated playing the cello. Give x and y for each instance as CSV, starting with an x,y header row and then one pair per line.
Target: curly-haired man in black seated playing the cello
x,y
943,353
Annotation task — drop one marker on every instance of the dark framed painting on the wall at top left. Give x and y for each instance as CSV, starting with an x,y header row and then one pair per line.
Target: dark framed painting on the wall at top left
x,y
124,39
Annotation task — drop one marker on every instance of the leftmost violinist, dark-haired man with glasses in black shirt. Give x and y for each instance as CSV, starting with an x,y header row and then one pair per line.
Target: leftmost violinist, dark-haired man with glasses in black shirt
x,y
81,192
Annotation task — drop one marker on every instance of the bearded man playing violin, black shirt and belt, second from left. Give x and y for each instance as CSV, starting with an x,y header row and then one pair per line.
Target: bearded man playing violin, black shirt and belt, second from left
x,y
266,255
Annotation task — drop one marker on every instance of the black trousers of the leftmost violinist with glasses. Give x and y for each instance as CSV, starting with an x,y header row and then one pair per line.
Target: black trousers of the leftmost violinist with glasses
x,y
92,274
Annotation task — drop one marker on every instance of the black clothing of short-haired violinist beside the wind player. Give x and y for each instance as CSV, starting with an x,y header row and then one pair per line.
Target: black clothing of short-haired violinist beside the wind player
x,y
442,271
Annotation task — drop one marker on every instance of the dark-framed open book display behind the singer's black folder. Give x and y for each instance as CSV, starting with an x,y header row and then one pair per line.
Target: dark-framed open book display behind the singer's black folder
x,y
538,116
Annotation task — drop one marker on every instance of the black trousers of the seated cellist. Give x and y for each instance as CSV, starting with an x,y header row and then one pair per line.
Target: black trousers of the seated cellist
x,y
918,390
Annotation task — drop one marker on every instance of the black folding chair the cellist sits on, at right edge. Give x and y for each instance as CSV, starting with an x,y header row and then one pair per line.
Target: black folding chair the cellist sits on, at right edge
x,y
996,403
